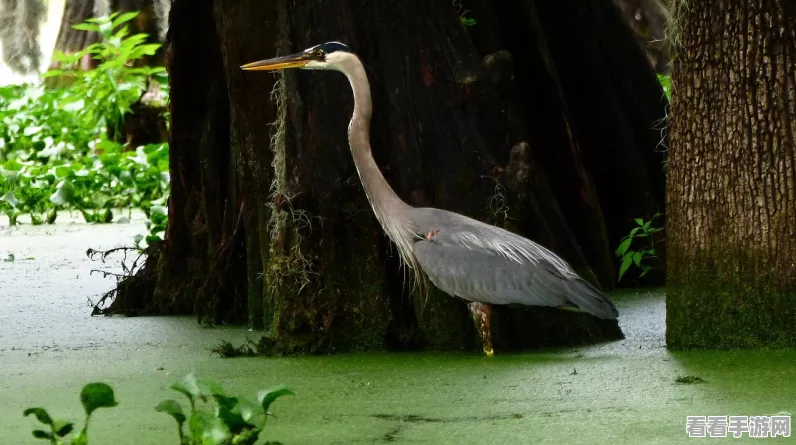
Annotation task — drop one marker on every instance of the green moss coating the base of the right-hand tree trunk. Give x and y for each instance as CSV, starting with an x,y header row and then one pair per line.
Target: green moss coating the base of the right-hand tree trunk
x,y
721,302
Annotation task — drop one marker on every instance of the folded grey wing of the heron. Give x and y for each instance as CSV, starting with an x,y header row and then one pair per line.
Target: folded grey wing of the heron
x,y
484,263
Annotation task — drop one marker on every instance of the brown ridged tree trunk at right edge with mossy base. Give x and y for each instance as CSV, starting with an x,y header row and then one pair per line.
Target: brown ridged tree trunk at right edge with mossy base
x,y
732,177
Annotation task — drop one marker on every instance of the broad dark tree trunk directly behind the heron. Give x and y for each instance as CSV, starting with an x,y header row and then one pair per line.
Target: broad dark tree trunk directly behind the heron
x,y
465,119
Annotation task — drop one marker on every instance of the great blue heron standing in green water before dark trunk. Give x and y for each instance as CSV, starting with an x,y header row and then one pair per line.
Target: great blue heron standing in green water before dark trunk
x,y
463,257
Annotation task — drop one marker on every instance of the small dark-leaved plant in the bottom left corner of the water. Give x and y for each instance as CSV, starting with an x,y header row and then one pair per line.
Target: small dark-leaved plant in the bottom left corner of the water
x,y
93,396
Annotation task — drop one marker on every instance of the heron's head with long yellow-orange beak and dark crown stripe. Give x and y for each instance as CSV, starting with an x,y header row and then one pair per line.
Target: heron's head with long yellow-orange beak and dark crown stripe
x,y
326,56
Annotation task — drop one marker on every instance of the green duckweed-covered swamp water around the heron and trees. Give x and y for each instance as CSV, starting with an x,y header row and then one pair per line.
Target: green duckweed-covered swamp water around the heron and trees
x,y
615,393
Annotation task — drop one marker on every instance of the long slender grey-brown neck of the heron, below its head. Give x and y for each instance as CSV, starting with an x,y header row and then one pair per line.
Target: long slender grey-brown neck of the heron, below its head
x,y
381,196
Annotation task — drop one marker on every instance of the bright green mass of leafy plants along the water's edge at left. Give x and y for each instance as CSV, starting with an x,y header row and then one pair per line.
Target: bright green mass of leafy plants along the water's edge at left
x,y
61,148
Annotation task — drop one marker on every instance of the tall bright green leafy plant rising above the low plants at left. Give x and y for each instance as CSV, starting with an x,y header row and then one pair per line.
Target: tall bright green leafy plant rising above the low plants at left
x,y
107,92
